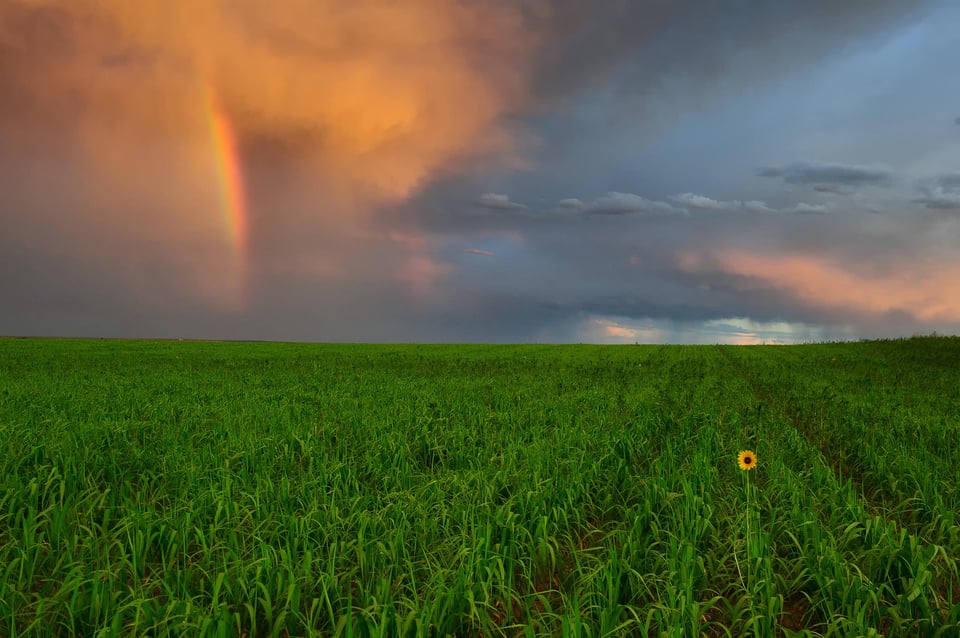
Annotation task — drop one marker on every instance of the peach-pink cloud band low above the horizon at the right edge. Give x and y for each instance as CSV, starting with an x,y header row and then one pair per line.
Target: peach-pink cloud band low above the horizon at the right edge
x,y
918,289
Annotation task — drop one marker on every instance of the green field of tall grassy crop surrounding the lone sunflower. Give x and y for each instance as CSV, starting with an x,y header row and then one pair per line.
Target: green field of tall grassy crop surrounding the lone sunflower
x,y
244,489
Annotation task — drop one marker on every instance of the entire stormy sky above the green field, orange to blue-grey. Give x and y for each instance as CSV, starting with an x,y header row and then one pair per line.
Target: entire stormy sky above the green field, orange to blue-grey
x,y
484,171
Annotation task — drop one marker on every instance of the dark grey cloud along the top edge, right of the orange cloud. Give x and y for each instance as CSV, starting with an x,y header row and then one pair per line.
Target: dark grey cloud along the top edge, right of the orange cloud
x,y
666,41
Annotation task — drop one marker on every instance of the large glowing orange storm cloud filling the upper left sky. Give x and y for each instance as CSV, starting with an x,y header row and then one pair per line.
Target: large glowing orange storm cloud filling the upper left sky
x,y
382,93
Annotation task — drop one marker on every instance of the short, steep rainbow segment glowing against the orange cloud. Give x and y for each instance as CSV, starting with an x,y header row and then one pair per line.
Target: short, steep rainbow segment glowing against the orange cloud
x,y
229,180
